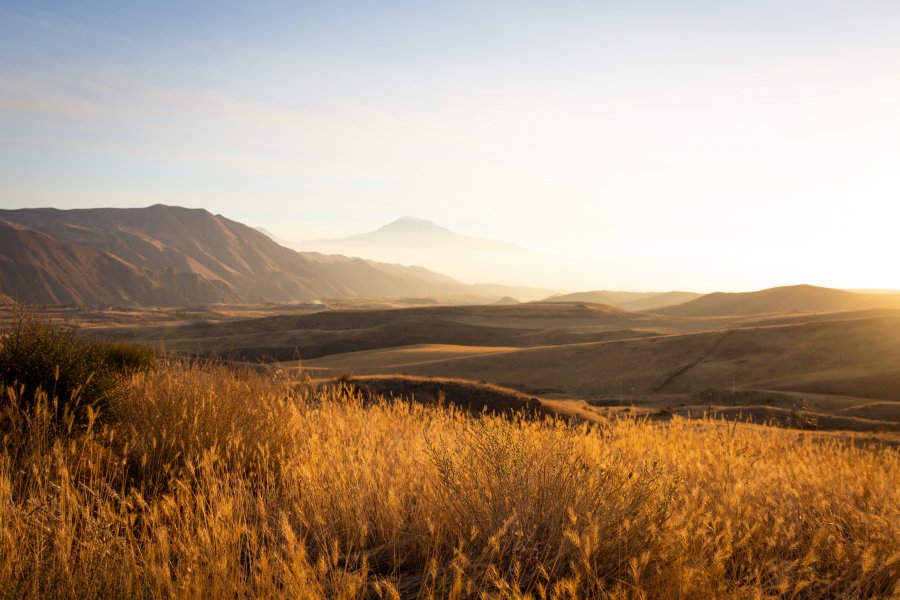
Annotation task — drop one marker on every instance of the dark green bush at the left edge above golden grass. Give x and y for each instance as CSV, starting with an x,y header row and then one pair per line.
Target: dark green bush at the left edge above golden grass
x,y
50,355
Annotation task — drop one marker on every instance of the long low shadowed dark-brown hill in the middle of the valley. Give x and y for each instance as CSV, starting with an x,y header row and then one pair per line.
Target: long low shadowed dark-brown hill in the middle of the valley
x,y
333,332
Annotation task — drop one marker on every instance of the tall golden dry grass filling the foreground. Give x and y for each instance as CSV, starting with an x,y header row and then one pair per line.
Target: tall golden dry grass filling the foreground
x,y
206,483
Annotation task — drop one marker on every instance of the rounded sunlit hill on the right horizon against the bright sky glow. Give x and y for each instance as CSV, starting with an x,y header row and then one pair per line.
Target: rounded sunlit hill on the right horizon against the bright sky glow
x,y
797,298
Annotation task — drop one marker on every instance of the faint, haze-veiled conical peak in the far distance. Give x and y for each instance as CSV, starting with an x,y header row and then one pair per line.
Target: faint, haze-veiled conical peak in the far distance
x,y
410,240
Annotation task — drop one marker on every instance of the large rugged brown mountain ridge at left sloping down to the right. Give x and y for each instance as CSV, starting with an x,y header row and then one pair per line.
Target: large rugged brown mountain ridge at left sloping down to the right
x,y
166,255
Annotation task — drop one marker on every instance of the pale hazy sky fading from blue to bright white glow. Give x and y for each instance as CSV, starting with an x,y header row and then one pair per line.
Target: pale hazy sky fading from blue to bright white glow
x,y
668,144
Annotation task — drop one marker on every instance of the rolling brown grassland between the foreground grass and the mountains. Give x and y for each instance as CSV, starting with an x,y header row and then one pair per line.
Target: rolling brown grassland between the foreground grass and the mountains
x,y
833,371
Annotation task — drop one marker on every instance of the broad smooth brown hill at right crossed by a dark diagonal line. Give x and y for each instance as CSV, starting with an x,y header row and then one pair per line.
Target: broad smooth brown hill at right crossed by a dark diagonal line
x,y
855,357
